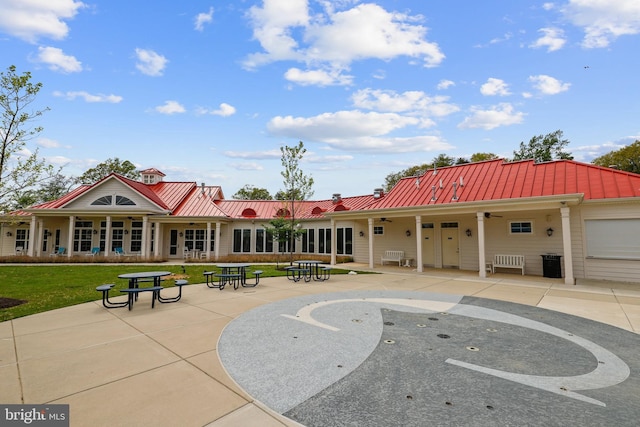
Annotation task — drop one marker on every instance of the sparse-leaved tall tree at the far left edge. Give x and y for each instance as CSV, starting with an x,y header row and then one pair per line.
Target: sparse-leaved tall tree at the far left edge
x,y
19,173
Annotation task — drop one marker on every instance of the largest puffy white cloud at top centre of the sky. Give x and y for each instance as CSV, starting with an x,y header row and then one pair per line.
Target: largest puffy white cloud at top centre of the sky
x,y
287,30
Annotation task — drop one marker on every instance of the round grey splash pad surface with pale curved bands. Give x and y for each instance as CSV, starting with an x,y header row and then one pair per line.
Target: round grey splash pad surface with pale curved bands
x,y
382,358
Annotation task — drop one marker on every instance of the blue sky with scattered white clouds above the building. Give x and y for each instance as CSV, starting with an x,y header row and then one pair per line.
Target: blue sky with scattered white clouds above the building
x,y
210,91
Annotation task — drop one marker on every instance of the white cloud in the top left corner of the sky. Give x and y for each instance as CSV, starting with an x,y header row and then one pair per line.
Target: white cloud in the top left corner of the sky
x,y
31,20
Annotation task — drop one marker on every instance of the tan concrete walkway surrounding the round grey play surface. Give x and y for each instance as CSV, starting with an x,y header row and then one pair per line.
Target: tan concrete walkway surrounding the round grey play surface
x,y
161,367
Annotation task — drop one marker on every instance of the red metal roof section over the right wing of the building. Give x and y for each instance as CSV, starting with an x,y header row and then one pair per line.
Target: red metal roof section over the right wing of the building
x,y
500,180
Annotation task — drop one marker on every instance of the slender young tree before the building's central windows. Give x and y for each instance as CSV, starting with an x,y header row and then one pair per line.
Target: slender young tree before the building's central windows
x,y
298,187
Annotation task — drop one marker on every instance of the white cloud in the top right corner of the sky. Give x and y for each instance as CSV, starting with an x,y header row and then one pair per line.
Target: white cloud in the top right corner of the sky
x,y
604,21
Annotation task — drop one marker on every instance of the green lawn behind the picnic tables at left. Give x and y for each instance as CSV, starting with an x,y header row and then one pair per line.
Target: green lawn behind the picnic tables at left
x,y
48,287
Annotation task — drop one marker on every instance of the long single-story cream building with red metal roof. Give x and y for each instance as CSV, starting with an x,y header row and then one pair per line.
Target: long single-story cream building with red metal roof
x,y
578,219
